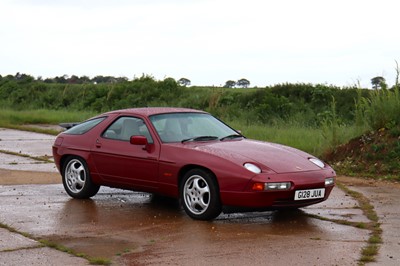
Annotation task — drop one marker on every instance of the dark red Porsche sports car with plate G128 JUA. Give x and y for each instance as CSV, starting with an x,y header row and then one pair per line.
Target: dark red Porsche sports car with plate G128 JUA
x,y
190,155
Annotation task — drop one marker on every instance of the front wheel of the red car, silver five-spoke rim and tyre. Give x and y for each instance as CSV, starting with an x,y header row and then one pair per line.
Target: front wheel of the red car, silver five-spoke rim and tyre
x,y
199,195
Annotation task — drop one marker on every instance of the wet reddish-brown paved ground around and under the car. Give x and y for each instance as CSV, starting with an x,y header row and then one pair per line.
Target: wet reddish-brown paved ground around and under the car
x,y
133,228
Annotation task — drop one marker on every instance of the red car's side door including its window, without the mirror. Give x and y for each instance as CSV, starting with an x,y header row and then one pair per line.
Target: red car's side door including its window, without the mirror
x,y
120,163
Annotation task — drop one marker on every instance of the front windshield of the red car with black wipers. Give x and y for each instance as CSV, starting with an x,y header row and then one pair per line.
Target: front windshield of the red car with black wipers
x,y
182,127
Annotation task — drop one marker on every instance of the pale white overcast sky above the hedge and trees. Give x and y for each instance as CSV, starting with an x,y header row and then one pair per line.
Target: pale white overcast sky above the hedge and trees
x,y
337,42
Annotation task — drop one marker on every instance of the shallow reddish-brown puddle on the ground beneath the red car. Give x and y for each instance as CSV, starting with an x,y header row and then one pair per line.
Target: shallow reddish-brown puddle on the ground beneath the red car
x,y
112,224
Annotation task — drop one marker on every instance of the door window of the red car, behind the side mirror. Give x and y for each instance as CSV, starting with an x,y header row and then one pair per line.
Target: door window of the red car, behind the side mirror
x,y
125,127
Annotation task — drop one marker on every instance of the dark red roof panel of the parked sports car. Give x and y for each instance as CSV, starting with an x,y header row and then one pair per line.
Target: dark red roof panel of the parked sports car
x,y
148,111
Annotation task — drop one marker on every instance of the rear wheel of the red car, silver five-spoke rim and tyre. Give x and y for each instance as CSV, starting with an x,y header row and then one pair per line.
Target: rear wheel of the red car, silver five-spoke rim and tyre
x,y
76,179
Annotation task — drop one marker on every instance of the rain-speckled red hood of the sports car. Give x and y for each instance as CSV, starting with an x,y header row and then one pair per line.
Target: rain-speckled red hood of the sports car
x,y
276,157
